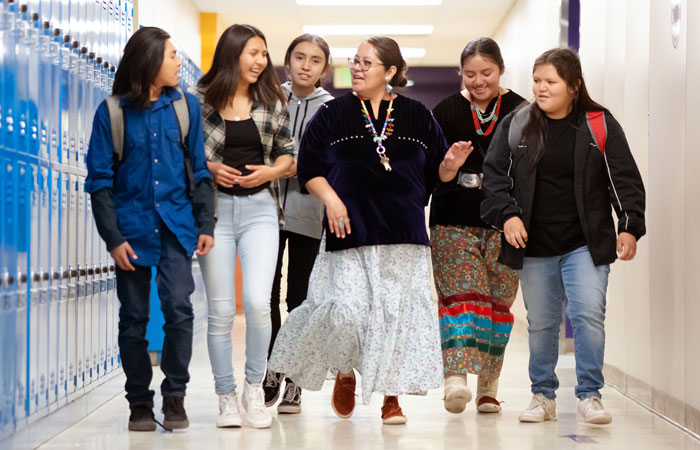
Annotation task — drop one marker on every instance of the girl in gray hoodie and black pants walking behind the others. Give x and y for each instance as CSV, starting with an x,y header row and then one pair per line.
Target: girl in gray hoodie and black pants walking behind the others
x,y
307,60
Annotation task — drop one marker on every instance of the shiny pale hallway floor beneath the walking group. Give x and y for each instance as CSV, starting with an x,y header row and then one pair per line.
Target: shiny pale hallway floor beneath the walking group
x,y
429,425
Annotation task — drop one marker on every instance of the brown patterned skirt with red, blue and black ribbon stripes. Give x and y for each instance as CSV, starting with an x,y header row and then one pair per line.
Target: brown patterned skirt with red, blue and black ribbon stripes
x,y
475,293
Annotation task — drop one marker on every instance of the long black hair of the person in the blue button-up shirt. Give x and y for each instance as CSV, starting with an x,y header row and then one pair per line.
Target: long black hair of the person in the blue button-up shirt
x,y
140,64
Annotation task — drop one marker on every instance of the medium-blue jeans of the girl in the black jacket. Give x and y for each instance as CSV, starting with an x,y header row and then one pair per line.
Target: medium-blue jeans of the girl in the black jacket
x,y
547,282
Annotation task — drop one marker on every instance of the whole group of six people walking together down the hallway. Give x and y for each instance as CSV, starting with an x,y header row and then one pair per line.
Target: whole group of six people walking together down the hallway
x,y
520,193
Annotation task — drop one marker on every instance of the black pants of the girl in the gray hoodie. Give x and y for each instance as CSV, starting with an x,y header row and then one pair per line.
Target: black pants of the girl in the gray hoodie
x,y
301,258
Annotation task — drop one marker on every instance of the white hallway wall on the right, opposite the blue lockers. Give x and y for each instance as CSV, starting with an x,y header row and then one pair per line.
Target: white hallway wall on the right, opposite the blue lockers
x,y
631,67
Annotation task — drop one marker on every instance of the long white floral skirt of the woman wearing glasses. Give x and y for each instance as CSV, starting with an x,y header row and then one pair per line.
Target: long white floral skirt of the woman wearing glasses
x,y
368,309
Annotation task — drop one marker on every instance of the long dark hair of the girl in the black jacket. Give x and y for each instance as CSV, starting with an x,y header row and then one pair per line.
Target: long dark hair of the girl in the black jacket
x,y
568,67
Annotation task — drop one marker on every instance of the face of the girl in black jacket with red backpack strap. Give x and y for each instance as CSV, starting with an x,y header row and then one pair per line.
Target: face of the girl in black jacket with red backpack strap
x,y
551,92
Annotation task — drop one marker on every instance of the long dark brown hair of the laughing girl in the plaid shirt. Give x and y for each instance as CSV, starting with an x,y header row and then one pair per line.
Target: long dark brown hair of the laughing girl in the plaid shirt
x,y
222,79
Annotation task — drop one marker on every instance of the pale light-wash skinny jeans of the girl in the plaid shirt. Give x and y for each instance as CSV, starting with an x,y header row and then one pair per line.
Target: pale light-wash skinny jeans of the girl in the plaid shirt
x,y
247,225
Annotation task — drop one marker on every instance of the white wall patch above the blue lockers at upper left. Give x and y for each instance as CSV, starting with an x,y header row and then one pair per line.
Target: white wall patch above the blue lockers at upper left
x,y
180,18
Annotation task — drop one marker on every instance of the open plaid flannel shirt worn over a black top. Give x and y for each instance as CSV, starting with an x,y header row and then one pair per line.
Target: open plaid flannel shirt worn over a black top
x,y
275,135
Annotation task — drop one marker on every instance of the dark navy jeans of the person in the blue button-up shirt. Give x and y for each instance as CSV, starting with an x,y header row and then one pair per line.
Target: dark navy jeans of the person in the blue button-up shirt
x,y
175,285
